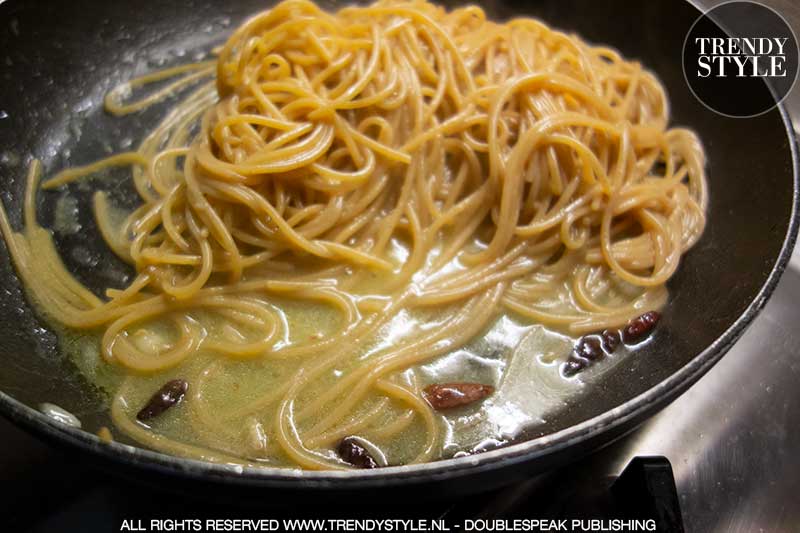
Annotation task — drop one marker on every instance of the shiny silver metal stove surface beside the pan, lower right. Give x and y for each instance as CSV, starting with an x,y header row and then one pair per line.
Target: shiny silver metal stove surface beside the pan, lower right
x,y
733,438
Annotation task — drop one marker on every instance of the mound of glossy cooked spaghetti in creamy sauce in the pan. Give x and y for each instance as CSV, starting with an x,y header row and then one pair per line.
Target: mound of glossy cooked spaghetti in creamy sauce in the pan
x,y
395,159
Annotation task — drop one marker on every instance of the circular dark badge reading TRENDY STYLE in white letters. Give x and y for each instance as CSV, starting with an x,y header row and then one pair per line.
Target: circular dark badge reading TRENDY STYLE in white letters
x,y
740,59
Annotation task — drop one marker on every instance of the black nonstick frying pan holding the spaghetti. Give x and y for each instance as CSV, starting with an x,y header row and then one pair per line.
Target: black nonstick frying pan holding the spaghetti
x,y
58,58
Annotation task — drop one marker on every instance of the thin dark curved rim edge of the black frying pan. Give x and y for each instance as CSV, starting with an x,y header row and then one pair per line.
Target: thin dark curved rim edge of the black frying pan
x,y
653,398
